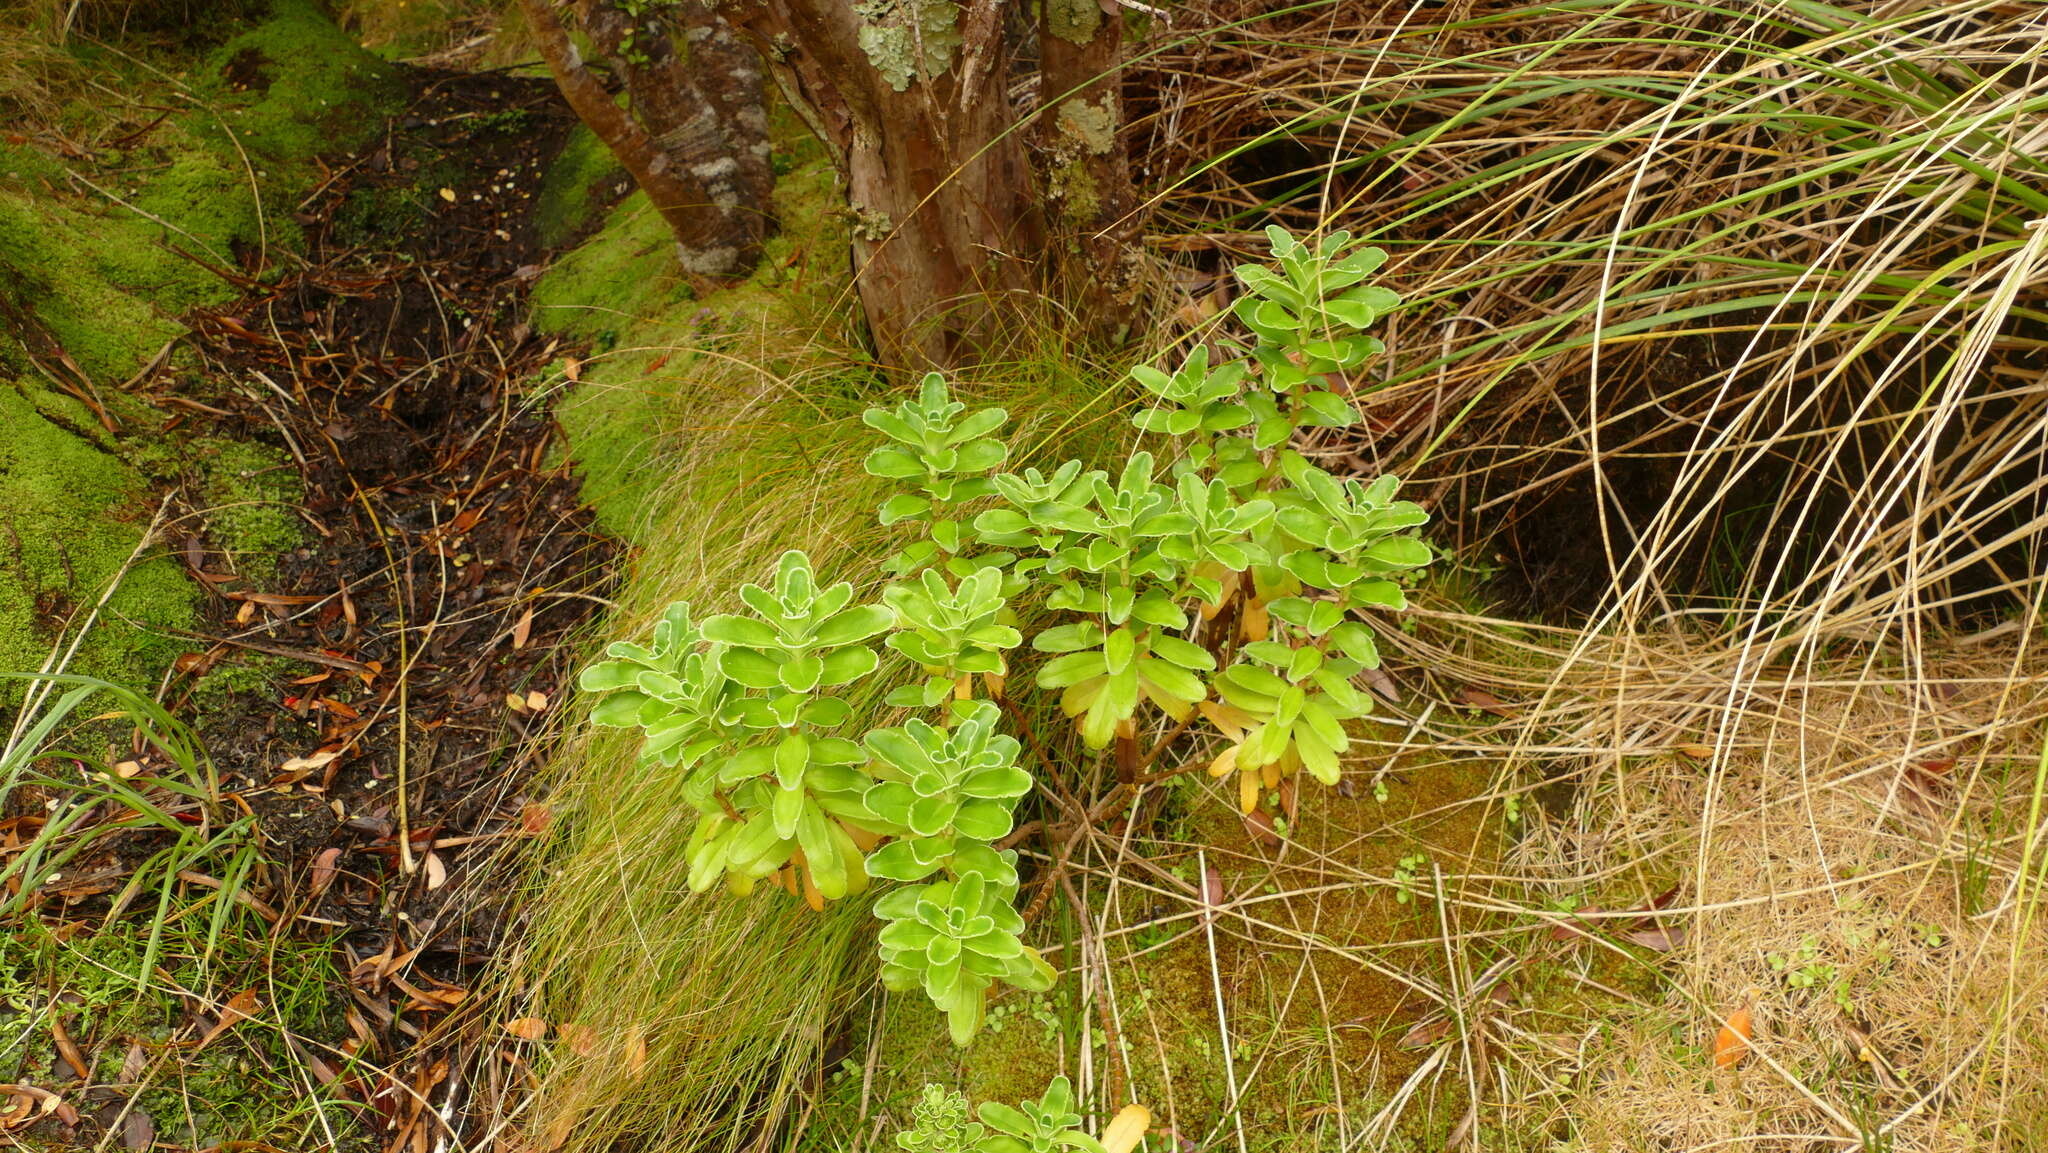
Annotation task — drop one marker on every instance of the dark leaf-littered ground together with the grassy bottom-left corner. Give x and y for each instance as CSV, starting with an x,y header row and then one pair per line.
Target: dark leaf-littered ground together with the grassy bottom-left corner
x,y
374,693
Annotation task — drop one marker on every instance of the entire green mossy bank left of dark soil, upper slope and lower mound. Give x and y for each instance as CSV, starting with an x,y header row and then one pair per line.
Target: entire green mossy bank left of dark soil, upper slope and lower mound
x,y
116,222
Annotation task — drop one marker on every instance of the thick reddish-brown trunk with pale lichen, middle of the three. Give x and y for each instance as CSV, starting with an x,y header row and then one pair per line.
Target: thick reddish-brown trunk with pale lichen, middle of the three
x,y
910,97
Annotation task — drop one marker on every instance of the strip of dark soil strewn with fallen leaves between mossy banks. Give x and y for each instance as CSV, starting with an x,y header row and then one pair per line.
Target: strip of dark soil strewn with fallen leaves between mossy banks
x,y
413,650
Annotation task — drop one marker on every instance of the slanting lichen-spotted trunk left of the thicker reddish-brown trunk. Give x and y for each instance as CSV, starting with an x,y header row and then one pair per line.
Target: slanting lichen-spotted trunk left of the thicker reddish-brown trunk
x,y
701,161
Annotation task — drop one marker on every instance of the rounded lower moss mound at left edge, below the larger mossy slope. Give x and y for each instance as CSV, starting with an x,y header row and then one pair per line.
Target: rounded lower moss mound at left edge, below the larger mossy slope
x,y
71,515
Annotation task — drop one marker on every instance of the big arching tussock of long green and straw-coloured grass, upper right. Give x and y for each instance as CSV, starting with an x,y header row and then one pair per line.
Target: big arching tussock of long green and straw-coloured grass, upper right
x,y
1715,280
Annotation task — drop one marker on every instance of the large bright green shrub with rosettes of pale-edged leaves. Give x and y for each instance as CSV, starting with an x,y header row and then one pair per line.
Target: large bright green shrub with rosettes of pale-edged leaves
x,y
1234,566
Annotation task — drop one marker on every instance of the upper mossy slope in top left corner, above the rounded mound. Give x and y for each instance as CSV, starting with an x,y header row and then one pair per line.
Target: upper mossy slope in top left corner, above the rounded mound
x,y
105,259
